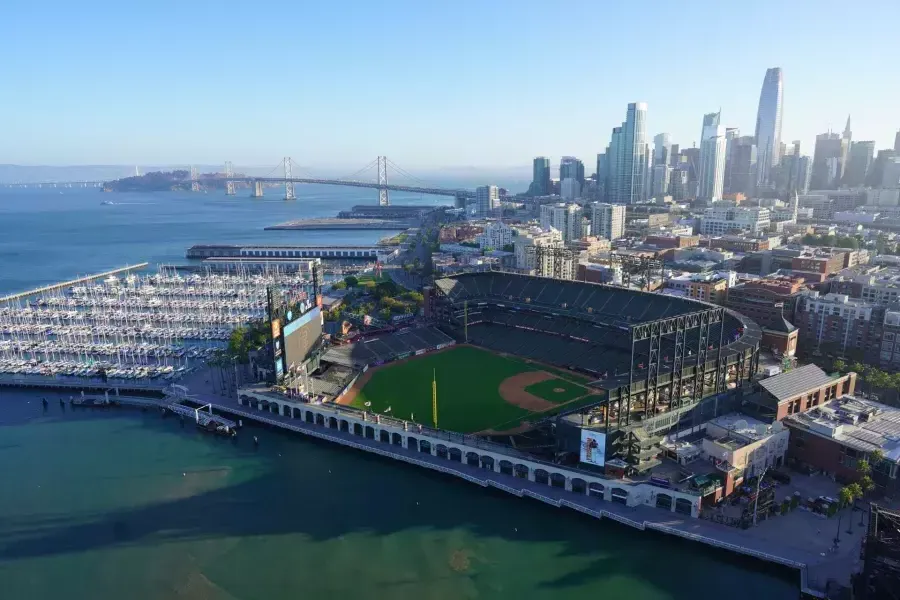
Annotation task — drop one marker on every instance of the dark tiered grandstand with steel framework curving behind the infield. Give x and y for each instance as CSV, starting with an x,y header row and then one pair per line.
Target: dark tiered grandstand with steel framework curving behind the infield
x,y
657,356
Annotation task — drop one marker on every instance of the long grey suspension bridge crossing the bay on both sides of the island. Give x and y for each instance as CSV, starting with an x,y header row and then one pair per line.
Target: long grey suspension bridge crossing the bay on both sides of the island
x,y
288,174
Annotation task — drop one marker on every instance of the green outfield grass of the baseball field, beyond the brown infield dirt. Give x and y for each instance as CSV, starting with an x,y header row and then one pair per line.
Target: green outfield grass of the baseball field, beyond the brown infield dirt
x,y
468,381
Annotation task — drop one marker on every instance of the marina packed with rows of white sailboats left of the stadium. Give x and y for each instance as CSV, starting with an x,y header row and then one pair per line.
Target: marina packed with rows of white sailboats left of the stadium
x,y
148,329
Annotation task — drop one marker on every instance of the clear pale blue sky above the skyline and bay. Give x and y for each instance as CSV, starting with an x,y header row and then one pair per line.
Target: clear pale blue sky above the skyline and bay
x,y
427,83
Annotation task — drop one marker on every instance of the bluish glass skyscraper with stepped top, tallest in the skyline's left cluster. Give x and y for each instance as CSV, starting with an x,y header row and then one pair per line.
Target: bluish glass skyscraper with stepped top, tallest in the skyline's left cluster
x,y
629,154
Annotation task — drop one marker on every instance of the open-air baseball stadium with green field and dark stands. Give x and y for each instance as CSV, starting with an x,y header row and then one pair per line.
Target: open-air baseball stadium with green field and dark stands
x,y
505,354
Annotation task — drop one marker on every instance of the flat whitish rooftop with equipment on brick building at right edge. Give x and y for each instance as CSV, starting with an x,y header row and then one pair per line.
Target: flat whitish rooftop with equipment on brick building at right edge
x,y
859,423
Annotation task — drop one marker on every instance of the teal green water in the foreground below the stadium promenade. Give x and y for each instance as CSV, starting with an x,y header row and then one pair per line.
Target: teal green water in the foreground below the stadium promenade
x,y
122,503
